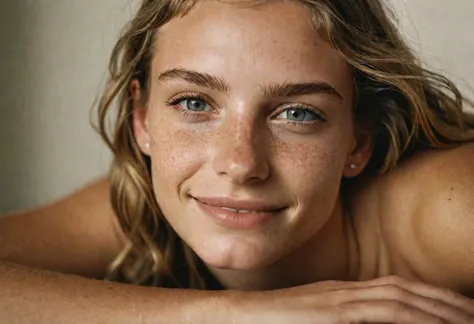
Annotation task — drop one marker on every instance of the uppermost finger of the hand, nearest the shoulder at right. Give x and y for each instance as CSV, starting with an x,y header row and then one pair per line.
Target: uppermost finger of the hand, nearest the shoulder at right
x,y
447,296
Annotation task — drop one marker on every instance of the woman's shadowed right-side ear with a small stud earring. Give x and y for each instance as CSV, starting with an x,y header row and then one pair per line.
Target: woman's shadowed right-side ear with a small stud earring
x,y
359,156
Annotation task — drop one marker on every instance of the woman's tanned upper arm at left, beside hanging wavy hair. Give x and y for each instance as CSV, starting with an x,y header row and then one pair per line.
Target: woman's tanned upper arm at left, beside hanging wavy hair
x,y
78,235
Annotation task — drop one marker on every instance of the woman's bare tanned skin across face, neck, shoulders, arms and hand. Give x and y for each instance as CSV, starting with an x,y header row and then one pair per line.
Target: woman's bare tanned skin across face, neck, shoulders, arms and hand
x,y
398,223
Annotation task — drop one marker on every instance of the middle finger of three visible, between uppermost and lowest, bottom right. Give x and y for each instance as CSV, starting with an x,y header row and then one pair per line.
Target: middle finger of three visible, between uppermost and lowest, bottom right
x,y
394,293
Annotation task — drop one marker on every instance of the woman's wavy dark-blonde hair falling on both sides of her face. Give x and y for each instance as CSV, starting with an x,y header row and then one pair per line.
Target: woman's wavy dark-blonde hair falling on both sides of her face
x,y
404,106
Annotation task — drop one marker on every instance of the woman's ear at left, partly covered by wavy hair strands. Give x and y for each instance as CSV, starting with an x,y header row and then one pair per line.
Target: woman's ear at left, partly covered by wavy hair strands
x,y
140,118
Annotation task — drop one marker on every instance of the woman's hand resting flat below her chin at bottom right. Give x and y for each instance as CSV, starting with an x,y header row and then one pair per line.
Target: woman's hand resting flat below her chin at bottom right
x,y
384,300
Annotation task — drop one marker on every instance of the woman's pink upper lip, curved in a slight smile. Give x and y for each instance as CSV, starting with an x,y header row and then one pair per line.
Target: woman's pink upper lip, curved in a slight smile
x,y
226,202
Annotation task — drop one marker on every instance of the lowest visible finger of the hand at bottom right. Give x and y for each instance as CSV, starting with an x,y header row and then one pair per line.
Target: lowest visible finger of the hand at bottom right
x,y
382,311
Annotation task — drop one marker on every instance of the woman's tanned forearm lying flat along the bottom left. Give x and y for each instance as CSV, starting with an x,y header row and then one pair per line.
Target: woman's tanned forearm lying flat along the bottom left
x,y
35,296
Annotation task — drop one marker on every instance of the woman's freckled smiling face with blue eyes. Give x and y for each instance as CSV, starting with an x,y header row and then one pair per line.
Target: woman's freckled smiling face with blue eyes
x,y
250,125
